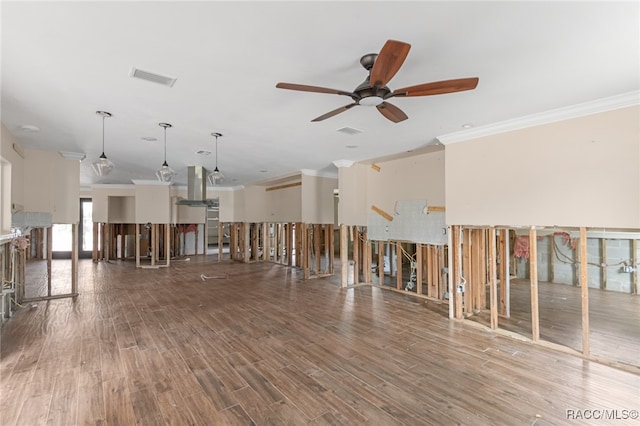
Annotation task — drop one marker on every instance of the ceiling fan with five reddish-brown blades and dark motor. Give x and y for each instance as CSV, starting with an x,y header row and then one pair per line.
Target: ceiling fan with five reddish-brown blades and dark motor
x,y
373,91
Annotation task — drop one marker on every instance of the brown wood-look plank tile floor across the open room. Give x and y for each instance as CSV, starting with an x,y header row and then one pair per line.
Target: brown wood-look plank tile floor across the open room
x,y
163,347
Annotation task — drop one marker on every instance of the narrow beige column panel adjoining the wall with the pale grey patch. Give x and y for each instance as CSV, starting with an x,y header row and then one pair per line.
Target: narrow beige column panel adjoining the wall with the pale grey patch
x,y
352,198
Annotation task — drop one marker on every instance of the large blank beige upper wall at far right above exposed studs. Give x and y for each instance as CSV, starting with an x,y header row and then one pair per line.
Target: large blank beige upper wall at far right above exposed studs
x,y
579,172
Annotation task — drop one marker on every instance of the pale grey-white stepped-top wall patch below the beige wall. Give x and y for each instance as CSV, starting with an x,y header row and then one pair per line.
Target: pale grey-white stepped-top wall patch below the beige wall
x,y
412,221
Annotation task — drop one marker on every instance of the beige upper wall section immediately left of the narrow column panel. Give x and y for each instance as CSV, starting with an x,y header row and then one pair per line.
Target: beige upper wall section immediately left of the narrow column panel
x,y
317,199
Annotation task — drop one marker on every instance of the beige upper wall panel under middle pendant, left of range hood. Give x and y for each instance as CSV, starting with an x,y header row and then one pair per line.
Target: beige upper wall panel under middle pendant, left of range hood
x,y
153,203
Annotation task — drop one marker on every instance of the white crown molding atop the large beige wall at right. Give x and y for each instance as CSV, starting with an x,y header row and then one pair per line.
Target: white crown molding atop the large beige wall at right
x,y
574,111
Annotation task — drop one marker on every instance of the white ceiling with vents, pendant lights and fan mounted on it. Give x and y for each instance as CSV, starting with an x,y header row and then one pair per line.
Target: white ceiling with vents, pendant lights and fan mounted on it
x,y
63,61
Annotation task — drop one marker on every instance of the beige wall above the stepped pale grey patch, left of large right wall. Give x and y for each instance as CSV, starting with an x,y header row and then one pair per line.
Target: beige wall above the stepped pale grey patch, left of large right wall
x,y
414,178
